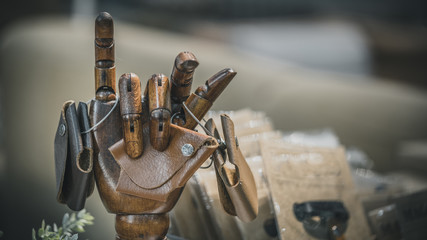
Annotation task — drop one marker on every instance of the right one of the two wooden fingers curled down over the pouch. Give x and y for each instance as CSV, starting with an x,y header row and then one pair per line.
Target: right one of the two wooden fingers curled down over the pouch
x,y
160,111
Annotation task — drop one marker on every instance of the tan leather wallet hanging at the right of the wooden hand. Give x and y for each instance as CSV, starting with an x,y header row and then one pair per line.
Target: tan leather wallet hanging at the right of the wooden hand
x,y
236,184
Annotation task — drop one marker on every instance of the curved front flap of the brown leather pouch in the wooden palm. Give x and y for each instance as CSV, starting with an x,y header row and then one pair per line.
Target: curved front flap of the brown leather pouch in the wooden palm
x,y
153,169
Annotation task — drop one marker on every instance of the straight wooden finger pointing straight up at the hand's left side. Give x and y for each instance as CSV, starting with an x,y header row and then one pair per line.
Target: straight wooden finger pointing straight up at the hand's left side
x,y
105,69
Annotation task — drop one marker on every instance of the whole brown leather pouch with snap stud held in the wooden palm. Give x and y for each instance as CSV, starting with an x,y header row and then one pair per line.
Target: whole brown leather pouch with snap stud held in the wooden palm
x,y
154,175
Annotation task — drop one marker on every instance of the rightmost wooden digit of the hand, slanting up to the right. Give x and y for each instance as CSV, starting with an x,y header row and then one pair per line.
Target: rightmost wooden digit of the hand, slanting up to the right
x,y
203,98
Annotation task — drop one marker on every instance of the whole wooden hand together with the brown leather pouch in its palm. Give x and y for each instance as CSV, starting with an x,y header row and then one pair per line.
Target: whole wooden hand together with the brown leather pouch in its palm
x,y
134,141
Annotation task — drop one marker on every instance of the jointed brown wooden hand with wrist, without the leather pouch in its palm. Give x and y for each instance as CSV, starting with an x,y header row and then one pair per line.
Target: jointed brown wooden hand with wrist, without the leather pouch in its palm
x,y
165,102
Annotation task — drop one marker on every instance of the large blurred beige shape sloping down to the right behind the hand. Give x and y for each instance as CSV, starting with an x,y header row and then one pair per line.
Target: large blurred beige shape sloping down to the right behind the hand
x,y
47,61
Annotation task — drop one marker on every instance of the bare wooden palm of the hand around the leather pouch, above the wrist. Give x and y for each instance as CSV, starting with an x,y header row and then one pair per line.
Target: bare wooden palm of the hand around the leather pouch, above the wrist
x,y
107,171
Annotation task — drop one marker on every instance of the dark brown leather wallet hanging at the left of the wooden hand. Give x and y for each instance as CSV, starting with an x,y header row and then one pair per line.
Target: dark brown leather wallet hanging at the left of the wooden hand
x,y
73,156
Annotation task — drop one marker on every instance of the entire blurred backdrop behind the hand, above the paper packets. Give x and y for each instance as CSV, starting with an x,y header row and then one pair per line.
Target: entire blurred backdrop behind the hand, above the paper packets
x,y
356,67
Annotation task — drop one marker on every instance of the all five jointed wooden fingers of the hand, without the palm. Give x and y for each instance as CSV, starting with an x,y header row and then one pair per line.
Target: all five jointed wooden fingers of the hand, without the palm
x,y
163,98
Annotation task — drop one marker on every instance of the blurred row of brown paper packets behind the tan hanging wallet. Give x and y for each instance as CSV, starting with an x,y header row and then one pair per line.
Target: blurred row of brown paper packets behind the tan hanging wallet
x,y
289,168
